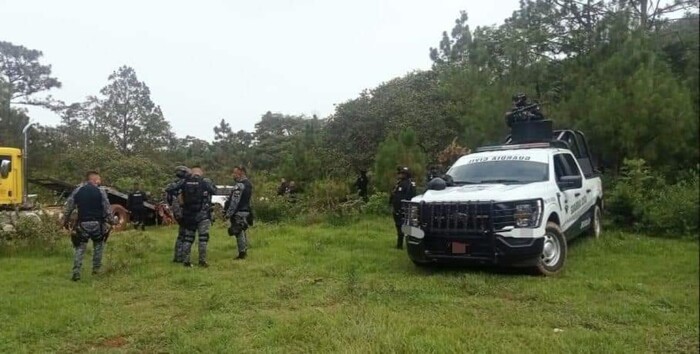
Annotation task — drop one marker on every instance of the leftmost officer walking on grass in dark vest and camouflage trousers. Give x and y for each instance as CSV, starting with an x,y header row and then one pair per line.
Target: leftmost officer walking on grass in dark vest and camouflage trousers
x,y
94,213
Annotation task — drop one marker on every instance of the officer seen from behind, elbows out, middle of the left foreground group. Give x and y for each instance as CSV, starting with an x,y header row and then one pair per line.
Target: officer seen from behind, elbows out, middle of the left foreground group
x,y
195,192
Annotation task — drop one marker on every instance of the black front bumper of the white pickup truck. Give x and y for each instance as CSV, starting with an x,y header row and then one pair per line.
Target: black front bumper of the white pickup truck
x,y
487,248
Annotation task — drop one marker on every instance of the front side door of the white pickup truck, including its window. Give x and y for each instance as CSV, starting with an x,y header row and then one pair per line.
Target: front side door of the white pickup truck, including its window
x,y
571,198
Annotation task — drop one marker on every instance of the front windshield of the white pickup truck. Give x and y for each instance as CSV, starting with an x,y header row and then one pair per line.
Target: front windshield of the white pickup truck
x,y
517,172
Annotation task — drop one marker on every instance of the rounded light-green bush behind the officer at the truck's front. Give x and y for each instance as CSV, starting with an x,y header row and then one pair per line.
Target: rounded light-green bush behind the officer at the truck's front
x,y
401,150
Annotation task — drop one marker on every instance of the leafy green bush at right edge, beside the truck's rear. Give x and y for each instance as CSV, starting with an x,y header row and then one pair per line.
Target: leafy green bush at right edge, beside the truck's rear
x,y
641,200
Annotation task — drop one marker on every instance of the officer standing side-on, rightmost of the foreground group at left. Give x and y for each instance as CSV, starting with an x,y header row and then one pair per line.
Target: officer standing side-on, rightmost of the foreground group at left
x,y
238,210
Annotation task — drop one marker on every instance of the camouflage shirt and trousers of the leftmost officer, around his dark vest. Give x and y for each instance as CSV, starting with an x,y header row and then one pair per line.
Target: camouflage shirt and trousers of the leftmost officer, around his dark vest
x,y
95,229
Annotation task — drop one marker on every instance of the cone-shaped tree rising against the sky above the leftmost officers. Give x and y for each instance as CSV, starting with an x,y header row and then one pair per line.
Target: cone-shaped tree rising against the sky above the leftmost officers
x,y
130,118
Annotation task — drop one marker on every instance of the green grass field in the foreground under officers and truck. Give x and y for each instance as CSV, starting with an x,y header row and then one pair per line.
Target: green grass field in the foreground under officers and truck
x,y
329,288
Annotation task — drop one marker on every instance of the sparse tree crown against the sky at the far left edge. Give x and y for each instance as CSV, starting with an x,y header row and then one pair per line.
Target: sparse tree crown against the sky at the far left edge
x,y
26,76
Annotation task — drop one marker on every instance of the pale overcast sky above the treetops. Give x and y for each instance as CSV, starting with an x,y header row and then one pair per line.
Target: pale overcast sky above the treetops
x,y
208,60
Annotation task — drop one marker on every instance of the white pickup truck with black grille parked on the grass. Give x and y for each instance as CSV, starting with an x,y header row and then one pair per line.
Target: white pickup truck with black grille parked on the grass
x,y
514,204
